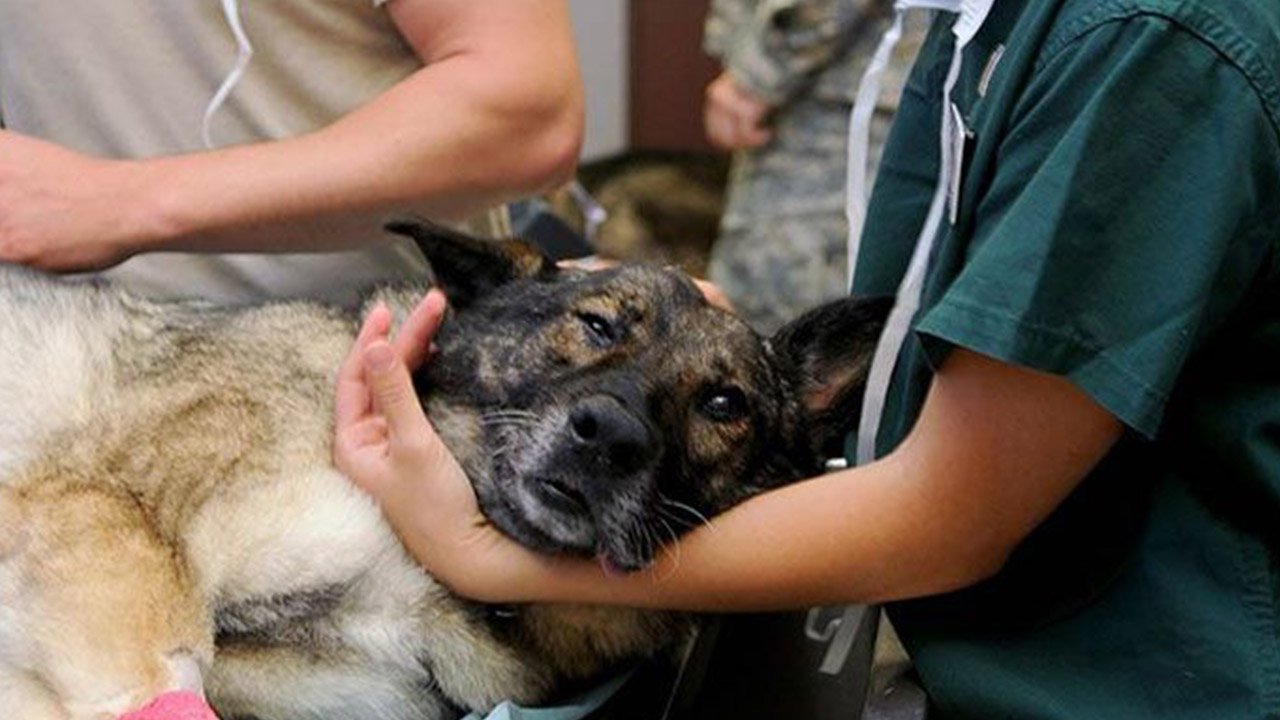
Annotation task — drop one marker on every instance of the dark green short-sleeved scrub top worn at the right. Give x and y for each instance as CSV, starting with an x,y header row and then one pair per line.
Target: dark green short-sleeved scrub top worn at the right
x,y
1118,222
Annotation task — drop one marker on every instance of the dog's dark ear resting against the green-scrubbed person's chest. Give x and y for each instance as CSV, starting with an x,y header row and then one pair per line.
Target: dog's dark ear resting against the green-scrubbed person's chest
x,y
829,353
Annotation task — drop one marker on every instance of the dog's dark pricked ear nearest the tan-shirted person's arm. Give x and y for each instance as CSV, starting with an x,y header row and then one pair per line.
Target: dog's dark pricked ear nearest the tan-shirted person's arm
x,y
468,267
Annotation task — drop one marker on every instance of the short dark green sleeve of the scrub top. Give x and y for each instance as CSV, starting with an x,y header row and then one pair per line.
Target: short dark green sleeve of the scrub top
x,y
1122,224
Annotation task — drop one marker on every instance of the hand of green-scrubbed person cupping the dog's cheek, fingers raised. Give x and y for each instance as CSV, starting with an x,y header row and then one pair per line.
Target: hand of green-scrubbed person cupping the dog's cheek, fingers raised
x,y
387,446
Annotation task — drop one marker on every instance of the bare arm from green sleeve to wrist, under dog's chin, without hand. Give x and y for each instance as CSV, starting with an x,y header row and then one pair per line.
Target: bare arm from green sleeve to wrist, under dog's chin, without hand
x,y
995,450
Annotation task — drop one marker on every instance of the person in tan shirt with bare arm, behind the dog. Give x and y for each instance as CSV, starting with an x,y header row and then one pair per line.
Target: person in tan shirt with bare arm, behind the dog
x,y
336,115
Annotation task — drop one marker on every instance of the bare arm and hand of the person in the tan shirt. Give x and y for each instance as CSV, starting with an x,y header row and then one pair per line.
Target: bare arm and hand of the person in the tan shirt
x,y
496,113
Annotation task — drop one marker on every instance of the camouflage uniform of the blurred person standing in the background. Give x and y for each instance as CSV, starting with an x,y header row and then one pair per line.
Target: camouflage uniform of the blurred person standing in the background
x,y
781,249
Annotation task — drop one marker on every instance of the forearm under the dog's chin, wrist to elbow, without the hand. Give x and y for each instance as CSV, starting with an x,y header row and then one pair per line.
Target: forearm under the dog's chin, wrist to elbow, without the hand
x,y
857,536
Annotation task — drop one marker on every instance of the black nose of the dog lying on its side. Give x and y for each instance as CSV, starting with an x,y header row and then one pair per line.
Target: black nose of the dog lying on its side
x,y
611,434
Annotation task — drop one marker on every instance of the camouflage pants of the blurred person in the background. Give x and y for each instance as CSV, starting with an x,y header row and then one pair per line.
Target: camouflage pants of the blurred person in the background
x,y
781,248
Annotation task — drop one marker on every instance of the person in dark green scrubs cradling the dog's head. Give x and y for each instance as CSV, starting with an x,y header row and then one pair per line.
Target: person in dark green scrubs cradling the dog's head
x,y
1076,502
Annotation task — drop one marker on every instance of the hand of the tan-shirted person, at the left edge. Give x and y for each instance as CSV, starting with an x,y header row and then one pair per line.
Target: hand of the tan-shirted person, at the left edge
x,y
61,211
